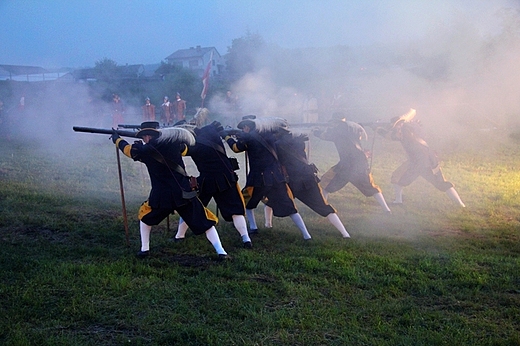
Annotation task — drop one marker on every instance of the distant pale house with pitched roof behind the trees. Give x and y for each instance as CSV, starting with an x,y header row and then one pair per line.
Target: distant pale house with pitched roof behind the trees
x,y
197,58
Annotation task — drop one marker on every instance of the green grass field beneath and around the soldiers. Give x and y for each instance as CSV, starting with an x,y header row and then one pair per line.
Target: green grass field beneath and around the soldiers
x,y
429,274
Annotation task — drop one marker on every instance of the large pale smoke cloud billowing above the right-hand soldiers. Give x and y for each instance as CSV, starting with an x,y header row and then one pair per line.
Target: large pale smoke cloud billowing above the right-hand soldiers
x,y
461,76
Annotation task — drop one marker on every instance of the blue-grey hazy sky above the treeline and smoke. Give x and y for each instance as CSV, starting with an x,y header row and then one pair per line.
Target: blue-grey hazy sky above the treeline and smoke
x,y
77,33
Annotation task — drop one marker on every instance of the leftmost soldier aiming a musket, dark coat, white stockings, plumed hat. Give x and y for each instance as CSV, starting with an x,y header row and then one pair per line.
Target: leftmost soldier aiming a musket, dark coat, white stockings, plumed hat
x,y
161,151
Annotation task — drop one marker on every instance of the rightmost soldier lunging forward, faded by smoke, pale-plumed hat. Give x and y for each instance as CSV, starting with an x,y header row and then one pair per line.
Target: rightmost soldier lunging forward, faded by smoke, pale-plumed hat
x,y
421,161
